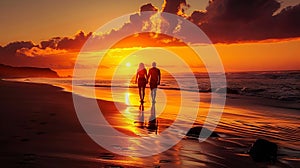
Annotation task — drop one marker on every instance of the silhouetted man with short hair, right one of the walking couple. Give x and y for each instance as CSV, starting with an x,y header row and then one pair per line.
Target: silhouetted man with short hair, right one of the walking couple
x,y
154,76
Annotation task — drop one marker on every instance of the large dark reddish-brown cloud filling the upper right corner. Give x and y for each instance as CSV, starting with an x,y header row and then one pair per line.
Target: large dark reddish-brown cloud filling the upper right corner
x,y
231,21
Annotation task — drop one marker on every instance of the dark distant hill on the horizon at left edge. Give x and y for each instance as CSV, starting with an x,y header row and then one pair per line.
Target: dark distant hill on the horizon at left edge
x,y
7,71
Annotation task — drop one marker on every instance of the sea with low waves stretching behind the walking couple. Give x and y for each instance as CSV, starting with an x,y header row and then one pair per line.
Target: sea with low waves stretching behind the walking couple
x,y
277,85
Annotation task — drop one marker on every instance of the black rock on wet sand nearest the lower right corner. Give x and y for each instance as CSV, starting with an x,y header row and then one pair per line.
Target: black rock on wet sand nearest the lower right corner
x,y
263,150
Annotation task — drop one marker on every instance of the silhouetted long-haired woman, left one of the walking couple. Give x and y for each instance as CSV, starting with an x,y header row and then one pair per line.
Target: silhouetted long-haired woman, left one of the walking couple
x,y
141,79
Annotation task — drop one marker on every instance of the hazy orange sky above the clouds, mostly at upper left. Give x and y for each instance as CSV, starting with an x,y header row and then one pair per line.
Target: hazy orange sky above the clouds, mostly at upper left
x,y
41,20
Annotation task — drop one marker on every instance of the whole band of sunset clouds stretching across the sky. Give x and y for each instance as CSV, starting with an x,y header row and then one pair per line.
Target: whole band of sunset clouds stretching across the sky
x,y
223,21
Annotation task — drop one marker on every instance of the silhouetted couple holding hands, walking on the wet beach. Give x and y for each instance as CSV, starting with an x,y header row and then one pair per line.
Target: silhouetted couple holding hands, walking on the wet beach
x,y
142,79
